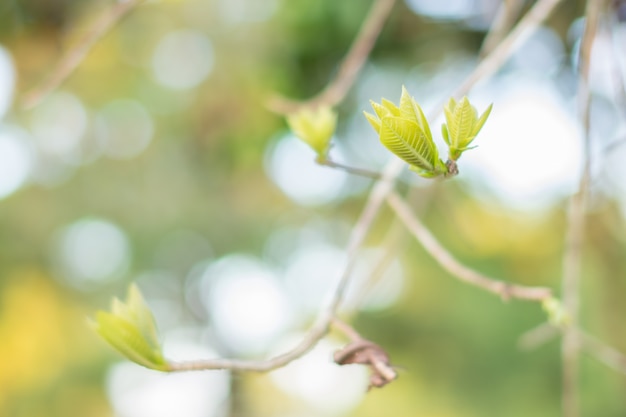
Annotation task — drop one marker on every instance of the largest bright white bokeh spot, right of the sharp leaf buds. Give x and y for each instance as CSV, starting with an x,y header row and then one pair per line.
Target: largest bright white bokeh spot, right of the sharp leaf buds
x,y
529,153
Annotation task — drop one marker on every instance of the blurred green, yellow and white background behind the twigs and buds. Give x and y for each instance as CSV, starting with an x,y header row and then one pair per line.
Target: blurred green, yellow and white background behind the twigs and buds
x,y
158,162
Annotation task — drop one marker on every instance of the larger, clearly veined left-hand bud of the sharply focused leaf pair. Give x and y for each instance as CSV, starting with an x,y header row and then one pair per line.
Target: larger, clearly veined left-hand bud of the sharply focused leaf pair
x,y
404,131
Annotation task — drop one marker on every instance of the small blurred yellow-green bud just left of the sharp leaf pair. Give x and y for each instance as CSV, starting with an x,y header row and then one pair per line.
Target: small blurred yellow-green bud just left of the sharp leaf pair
x,y
314,127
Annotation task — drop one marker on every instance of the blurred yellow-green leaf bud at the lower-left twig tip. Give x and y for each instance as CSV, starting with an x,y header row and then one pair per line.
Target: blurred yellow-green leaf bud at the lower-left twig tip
x,y
131,329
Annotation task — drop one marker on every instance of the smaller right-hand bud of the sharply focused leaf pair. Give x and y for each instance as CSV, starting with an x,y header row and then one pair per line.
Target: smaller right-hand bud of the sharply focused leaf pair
x,y
462,125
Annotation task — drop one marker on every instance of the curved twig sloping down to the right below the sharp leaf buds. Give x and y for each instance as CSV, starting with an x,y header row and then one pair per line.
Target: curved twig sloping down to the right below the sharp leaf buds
x,y
456,268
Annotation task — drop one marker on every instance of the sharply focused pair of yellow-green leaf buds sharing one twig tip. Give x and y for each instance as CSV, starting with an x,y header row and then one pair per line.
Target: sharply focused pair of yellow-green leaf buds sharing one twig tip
x,y
405,131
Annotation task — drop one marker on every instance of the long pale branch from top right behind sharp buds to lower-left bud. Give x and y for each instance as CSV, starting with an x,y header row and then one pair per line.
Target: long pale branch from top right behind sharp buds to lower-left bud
x,y
377,196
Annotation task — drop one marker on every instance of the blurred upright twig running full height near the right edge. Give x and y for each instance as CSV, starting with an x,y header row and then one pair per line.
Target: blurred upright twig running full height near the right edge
x,y
576,223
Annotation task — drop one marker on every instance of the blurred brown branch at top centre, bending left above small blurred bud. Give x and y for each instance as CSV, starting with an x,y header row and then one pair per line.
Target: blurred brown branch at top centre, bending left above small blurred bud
x,y
356,57
